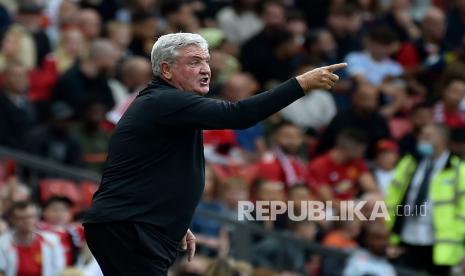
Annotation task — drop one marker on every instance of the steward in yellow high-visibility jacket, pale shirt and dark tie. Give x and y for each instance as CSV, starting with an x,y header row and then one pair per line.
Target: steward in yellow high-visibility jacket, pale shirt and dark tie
x,y
423,225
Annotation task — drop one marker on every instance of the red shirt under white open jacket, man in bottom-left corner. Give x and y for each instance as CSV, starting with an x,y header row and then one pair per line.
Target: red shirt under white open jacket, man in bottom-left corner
x,y
30,258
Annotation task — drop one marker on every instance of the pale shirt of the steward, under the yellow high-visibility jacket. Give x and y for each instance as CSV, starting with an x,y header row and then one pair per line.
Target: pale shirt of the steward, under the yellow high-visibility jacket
x,y
418,230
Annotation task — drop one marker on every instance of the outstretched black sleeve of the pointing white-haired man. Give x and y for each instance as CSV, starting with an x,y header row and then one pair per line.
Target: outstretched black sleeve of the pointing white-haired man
x,y
187,109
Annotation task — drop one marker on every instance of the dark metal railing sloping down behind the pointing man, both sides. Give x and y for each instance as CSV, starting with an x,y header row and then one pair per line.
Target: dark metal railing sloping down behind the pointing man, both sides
x,y
245,231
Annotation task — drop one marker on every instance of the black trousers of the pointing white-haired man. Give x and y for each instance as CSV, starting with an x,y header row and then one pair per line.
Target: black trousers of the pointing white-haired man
x,y
129,248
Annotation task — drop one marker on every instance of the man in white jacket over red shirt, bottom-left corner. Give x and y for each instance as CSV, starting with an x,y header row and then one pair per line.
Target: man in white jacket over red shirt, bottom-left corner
x,y
27,251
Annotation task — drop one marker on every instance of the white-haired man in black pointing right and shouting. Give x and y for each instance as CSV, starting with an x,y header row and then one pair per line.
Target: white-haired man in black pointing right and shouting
x,y
154,175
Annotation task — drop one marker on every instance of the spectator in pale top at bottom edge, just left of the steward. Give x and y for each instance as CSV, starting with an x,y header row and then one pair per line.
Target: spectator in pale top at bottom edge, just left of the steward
x,y
371,259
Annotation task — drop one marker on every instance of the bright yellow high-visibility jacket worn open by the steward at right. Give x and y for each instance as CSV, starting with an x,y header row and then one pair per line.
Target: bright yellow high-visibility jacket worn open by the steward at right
x,y
447,195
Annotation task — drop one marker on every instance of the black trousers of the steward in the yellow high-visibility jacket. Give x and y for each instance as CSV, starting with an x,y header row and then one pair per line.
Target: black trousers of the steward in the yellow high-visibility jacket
x,y
421,258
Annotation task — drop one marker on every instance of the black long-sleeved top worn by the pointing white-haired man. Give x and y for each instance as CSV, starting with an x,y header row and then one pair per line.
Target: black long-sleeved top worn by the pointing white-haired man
x,y
155,168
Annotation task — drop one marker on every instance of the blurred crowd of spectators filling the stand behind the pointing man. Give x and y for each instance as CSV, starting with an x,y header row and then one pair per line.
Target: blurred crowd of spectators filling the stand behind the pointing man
x,y
392,129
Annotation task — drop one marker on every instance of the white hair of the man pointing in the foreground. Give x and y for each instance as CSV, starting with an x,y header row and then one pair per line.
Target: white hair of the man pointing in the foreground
x,y
167,46
